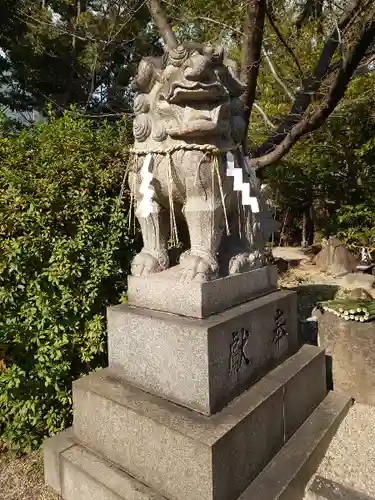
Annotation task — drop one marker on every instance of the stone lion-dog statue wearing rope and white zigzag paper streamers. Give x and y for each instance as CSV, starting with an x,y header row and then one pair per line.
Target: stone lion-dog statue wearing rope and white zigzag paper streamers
x,y
187,167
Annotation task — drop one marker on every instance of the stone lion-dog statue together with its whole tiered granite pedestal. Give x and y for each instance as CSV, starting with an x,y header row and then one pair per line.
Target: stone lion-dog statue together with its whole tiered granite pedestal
x,y
206,380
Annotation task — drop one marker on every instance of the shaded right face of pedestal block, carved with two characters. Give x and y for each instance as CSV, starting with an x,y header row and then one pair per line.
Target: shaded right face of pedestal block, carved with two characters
x,y
254,326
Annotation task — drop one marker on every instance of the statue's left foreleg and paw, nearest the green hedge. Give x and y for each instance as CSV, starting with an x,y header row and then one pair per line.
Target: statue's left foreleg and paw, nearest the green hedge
x,y
153,258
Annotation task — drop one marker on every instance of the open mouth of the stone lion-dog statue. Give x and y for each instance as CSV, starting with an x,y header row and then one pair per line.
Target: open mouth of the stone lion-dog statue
x,y
195,91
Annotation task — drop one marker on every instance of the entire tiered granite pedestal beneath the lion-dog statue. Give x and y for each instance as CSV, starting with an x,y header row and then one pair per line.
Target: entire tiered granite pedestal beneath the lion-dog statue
x,y
193,407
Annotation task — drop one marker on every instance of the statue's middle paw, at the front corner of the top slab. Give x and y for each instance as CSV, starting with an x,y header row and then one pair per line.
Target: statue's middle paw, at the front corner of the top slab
x,y
197,267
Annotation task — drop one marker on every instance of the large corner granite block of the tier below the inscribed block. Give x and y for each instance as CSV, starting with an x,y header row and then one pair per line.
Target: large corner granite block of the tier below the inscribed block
x,y
173,449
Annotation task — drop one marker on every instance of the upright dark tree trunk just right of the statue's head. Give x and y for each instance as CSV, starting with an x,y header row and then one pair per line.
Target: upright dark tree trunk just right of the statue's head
x,y
252,48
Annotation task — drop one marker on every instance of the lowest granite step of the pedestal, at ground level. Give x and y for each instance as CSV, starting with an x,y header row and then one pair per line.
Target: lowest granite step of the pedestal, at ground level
x,y
77,473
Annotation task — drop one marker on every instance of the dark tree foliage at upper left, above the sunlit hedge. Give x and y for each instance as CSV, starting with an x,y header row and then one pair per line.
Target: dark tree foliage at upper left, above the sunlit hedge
x,y
64,52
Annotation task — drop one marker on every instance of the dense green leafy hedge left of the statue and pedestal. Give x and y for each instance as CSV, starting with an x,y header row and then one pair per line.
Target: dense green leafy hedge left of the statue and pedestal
x,y
64,255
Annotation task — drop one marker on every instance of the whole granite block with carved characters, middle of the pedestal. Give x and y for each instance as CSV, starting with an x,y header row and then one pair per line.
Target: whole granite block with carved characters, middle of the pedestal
x,y
229,351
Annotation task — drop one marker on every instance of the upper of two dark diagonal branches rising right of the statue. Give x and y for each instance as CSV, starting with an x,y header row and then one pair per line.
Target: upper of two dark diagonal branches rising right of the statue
x,y
312,84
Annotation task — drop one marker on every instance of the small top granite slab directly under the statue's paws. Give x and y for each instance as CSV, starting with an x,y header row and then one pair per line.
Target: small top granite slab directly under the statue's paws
x,y
163,292
